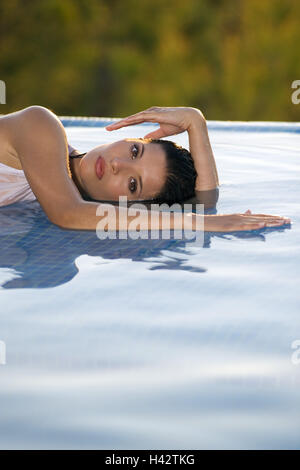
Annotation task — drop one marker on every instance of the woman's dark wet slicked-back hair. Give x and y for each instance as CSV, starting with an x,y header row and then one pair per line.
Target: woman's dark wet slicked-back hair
x,y
181,176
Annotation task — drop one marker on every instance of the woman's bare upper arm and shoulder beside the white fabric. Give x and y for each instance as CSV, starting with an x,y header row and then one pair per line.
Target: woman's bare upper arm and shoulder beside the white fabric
x,y
39,140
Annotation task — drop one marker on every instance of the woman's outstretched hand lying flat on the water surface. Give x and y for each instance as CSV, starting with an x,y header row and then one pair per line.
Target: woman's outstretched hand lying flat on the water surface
x,y
246,221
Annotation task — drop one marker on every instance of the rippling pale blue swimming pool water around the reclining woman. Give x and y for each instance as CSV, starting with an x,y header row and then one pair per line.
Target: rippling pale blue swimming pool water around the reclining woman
x,y
131,344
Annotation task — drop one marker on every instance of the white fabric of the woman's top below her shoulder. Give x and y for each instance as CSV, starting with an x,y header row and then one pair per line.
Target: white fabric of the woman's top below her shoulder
x,y
14,186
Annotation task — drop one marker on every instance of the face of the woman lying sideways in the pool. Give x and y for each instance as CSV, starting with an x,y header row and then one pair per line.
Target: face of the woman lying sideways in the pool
x,y
135,168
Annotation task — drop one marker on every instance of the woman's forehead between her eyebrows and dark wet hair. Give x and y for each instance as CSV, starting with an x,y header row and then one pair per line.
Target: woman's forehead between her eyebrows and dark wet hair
x,y
152,168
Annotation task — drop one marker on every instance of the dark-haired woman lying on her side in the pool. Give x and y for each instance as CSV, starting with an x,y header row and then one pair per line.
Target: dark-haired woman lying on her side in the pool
x,y
67,186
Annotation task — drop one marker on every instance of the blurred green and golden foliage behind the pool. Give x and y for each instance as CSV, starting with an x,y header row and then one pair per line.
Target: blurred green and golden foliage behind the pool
x,y
233,59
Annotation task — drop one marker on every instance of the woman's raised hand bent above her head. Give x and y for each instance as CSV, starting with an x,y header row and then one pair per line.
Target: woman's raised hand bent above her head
x,y
172,120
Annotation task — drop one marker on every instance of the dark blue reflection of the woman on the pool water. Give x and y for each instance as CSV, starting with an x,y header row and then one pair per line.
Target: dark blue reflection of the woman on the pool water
x,y
42,254
